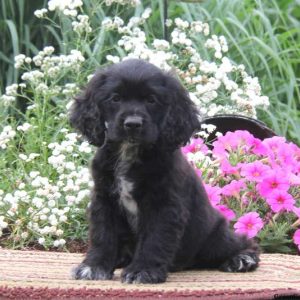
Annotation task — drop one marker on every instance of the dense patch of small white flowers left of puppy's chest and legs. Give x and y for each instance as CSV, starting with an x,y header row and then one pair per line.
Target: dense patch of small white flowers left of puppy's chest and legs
x,y
49,205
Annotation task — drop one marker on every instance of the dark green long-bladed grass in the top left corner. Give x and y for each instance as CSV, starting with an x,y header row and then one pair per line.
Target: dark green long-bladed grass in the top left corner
x,y
21,32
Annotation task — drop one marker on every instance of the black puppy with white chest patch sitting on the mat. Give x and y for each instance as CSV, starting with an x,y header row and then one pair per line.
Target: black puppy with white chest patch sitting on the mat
x,y
149,212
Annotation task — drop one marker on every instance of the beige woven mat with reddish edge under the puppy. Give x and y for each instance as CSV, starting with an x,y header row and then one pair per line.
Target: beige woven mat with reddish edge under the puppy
x,y
39,274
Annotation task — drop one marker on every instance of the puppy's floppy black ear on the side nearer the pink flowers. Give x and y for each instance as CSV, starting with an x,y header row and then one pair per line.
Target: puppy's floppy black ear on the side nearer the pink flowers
x,y
182,117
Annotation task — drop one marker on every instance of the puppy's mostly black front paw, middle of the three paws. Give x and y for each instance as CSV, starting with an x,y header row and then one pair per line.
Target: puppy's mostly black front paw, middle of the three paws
x,y
131,275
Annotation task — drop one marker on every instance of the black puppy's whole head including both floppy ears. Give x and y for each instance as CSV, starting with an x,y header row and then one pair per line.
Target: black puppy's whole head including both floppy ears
x,y
135,102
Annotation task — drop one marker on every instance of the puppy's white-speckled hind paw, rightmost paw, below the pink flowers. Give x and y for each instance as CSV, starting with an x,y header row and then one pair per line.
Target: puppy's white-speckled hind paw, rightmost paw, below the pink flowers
x,y
243,262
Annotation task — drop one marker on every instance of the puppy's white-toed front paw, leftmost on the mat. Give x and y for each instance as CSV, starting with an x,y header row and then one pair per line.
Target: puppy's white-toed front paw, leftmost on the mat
x,y
83,271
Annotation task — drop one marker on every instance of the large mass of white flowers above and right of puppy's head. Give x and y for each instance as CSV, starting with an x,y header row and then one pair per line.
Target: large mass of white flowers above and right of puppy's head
x,y
212,84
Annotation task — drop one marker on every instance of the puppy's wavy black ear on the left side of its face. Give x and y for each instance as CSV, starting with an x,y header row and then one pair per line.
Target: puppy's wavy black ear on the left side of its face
x,y
85,115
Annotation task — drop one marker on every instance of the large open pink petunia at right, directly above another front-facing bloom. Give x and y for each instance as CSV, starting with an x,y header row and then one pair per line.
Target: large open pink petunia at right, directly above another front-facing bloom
x,y
275,180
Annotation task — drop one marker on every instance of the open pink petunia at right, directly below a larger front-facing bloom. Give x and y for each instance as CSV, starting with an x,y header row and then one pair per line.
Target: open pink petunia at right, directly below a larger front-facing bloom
x,y
280,200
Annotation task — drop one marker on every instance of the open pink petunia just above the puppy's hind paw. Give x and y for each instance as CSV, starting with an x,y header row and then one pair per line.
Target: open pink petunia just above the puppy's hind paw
x,y
249,224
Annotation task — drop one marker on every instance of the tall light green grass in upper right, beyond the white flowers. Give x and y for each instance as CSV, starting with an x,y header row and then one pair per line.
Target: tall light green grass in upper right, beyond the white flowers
x,y
265,37
